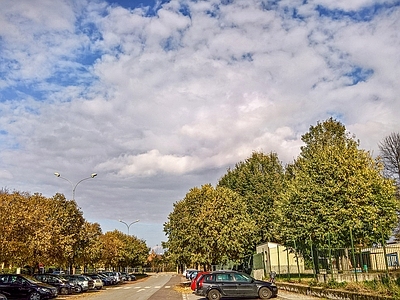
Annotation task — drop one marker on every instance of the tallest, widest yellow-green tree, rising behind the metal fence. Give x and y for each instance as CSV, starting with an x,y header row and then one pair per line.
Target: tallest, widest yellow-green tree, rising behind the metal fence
x,y
332,188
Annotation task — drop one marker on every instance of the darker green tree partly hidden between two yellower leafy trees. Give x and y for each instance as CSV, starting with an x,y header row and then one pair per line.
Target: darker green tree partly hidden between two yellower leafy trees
x,y
259,180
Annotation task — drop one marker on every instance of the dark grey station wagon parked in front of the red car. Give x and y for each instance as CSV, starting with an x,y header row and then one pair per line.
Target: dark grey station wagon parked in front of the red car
x,y
232,284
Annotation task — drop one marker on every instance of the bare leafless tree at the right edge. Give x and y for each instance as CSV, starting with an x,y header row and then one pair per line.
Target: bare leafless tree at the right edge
x,y
390,154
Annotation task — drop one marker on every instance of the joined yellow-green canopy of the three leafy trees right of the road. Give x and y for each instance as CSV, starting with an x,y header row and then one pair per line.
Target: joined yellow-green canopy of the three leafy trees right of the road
x,y
332,188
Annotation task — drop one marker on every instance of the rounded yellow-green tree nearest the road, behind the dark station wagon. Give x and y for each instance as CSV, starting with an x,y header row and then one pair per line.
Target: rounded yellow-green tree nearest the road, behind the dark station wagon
x,y
209,226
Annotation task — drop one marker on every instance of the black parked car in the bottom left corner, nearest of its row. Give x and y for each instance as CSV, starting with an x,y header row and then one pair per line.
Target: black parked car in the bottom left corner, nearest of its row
x,y
18,286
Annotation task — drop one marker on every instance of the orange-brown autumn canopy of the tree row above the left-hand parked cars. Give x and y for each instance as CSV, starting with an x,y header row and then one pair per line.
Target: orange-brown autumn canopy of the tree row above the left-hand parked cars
x,y
52,232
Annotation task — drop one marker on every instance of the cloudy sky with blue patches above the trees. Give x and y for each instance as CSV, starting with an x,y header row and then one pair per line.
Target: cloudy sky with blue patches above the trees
x,y
158,97
